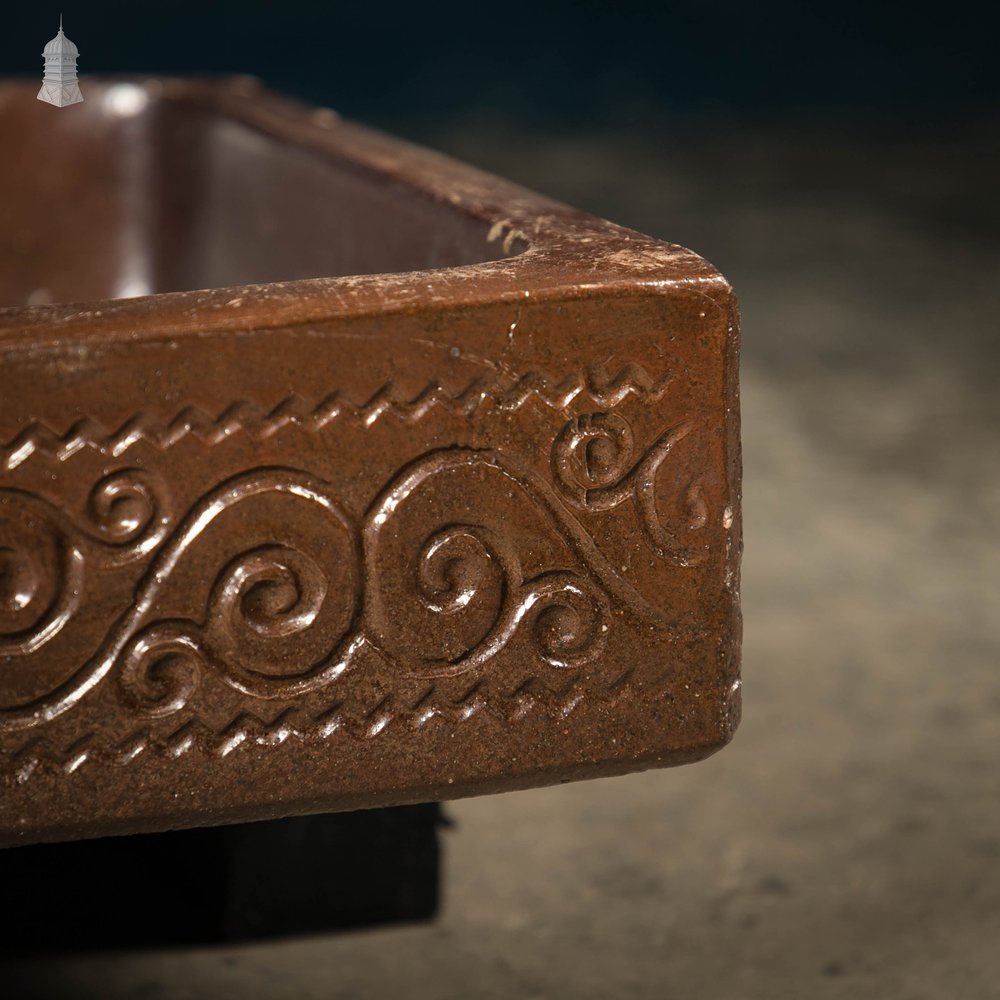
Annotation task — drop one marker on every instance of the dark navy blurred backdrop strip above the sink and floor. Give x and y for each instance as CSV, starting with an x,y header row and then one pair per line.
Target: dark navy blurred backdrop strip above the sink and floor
x,y
550,62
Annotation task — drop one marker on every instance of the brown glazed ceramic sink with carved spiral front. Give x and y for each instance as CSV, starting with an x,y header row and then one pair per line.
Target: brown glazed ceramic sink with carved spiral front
x,y
431,490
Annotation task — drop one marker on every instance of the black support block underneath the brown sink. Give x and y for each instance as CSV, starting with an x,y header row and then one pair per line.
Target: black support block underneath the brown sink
x,y
257,880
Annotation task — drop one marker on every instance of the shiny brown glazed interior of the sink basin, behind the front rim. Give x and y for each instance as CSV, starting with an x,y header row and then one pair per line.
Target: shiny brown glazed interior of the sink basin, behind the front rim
x,y
136,192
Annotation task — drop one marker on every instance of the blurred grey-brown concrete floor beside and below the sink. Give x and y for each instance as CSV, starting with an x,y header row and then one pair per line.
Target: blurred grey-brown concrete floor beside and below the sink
x,y
848,843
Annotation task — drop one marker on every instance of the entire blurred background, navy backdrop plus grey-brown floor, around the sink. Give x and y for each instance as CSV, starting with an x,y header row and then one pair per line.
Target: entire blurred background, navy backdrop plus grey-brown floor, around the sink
x,y
840,164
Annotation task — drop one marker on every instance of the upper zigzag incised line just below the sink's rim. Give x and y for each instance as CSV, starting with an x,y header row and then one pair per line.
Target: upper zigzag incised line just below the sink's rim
x,y
244,416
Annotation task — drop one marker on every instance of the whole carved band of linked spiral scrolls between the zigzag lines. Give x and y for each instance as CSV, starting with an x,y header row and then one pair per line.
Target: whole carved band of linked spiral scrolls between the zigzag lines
x,y
286,617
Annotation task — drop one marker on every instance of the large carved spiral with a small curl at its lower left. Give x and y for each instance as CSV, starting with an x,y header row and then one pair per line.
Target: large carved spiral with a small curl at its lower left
x,y
276,622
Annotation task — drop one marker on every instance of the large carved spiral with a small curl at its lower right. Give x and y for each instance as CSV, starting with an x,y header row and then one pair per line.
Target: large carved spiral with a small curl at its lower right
x,y
448,603
